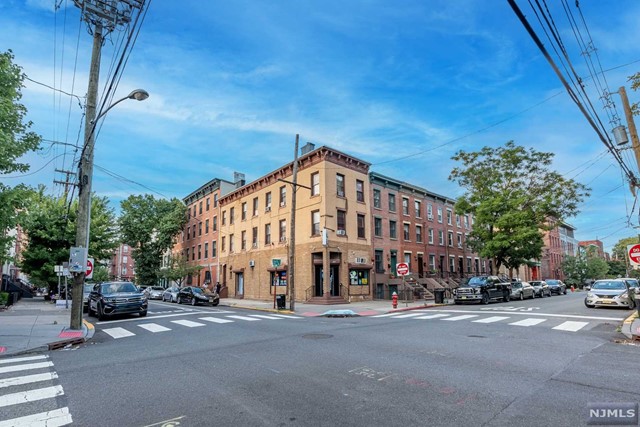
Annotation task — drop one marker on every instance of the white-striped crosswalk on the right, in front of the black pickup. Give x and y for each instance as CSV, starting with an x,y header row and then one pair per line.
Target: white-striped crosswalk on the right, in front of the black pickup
x,y
555,323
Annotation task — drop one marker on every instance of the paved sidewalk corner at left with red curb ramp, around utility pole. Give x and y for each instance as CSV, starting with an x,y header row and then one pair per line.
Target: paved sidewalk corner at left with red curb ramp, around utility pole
x,y
33,324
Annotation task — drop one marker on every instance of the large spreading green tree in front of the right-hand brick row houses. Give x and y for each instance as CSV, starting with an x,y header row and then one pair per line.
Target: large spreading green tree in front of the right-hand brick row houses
x,y
513,196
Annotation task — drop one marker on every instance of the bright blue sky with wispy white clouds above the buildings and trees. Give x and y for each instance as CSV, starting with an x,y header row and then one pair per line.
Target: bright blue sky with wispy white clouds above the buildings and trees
x,y
402,85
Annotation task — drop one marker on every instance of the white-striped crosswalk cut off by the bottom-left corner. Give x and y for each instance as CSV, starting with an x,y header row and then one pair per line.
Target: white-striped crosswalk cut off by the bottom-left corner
x,y
26,383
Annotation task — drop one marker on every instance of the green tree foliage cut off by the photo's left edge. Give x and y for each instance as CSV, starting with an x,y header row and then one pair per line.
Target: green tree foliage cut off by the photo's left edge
x,y
15,141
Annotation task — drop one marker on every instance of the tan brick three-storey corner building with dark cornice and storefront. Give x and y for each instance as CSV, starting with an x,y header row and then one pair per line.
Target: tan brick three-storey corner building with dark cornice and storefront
x,y
332,199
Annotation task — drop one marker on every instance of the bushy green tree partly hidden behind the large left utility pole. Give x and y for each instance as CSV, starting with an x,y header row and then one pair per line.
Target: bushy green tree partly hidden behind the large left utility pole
x,y
50,225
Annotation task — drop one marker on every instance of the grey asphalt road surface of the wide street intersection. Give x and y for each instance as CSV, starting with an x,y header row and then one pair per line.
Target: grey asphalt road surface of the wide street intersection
x,y
458,365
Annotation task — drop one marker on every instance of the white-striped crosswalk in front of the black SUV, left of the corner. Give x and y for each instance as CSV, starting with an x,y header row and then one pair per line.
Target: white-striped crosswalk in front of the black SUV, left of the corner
x,y
151,326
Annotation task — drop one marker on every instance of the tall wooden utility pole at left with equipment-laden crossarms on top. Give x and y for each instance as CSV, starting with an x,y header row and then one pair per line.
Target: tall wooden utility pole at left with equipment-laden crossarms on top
x,y
99,13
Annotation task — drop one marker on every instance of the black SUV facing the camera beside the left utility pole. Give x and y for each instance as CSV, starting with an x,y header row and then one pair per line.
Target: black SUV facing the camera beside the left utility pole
x,y
111,298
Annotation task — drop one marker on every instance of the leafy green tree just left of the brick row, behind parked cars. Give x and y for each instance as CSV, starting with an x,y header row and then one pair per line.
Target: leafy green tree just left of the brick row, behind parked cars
x,y
149,226
